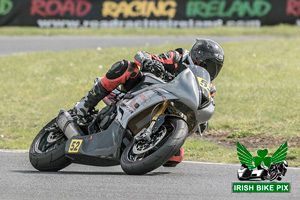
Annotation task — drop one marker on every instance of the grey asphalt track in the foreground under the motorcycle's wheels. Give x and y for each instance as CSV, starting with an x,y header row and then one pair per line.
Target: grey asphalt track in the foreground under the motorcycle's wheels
x,y
189,180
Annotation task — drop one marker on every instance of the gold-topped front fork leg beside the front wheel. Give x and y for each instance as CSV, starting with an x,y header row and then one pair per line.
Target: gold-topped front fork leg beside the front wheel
x,y
156,119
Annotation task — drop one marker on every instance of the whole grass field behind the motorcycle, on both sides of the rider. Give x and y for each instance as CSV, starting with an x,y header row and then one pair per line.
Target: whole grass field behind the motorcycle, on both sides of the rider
x,y
258,92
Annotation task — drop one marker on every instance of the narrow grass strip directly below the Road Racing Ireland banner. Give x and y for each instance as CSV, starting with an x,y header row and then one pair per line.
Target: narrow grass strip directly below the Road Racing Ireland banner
x,y
280,30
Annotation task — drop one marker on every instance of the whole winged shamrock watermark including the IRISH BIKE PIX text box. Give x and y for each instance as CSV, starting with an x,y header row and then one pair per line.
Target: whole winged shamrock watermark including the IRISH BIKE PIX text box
x,y
261,167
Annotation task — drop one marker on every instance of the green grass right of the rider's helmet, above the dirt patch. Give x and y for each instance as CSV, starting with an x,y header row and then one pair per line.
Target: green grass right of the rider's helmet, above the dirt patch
x,y
258,90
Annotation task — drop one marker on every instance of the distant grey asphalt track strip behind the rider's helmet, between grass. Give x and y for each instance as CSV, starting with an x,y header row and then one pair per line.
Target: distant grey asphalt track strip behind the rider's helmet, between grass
x,y
26,44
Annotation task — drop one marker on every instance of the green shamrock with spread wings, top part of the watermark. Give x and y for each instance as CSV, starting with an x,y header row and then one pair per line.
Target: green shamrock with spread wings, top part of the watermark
x,y
251,162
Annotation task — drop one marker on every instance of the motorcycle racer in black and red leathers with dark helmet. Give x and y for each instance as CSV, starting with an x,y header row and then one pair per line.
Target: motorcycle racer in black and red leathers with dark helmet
x,y
203,53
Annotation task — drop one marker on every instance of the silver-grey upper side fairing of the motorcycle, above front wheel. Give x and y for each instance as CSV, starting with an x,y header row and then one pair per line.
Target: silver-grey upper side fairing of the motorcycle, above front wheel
x,y
183,88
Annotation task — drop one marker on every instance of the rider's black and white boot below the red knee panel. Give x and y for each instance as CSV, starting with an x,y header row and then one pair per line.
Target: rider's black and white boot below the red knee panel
x,y
90,100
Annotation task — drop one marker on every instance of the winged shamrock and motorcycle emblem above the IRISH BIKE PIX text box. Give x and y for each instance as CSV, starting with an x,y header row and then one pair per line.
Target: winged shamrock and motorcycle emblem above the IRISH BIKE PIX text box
x,y
262,166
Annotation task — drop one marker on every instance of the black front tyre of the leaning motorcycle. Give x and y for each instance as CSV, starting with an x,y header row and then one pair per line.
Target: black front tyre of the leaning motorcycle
x,y
177,131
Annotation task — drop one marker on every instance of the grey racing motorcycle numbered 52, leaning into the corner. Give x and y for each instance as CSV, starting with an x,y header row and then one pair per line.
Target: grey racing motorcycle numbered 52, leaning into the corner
x,y
140,129
